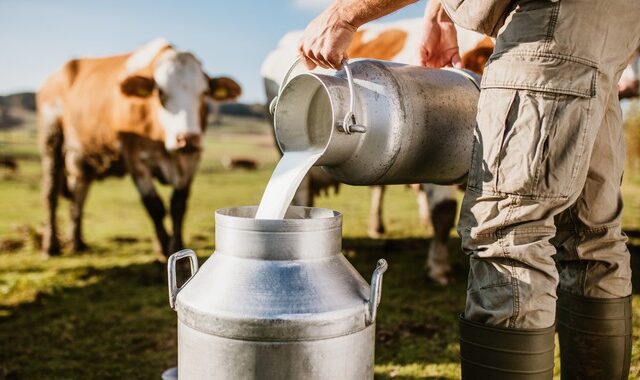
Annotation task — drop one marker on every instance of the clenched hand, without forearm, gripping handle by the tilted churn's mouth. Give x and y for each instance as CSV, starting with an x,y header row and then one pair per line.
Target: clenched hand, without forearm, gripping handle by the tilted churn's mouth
x,y
325,41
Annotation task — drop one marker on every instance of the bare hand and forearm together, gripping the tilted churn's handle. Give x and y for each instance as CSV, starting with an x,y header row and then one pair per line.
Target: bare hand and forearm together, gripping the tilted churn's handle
x,y
325,41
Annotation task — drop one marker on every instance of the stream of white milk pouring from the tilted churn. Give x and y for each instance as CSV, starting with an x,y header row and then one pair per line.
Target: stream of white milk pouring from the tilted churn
x,y
284,182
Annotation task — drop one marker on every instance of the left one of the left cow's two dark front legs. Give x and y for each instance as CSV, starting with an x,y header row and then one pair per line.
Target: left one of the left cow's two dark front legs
x,y
155,208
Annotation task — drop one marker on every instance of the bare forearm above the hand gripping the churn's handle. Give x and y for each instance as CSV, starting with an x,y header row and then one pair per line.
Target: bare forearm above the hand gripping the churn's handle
x,y
359,12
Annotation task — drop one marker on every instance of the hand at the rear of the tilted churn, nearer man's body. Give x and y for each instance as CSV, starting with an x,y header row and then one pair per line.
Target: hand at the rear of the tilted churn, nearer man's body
x,y
439,47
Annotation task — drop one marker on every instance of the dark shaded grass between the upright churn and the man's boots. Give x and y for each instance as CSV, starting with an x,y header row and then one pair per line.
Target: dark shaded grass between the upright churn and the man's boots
x,y
417,319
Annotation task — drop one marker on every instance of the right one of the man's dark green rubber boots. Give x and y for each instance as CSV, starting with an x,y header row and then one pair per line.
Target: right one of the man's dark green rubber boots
x,y
595,337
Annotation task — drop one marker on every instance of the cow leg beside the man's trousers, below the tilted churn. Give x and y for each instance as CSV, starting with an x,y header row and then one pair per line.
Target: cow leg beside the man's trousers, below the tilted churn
x,y
443,215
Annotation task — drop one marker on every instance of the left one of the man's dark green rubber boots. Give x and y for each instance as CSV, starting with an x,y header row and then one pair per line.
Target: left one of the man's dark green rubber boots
x,y
495,353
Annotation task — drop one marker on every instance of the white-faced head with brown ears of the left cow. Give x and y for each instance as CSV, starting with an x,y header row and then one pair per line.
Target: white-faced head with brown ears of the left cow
x,y
178,89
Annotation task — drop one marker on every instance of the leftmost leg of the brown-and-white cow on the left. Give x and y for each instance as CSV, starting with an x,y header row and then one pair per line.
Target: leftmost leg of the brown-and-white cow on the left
x,y
51,141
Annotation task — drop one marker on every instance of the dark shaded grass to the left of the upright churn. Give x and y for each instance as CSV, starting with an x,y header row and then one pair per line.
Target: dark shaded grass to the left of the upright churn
x,y
113,323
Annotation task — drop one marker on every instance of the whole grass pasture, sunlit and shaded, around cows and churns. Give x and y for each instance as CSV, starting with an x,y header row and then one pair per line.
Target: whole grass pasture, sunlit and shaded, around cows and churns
x,y
105,314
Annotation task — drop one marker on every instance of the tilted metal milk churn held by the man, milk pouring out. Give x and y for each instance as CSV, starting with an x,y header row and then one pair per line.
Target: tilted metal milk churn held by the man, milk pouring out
x,y
380,122
